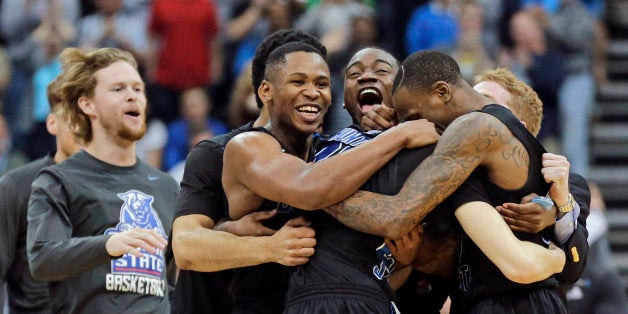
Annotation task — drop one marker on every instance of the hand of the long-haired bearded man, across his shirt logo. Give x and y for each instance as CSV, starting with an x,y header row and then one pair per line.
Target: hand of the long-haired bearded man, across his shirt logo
x,y
131,241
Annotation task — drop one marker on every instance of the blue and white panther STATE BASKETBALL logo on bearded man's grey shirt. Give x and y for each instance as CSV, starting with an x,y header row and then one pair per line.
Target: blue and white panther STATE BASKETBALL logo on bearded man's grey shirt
x,y
138,274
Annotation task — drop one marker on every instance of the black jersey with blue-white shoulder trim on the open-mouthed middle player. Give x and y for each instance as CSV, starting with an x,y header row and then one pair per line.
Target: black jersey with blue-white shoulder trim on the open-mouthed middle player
x,y
344,255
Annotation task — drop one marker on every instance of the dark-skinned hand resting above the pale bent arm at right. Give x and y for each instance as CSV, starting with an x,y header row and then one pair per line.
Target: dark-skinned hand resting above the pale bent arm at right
x,y
527,217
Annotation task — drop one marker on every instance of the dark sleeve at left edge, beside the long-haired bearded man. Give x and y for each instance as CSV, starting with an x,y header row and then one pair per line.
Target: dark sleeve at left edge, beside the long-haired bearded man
x,y
9,224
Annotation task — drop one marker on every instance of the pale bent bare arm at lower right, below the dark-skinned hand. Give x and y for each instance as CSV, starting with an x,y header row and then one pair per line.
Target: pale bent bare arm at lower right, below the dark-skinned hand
x,y
520,261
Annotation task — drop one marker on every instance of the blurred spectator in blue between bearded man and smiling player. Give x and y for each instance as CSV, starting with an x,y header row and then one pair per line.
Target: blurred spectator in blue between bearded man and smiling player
x,y
195,109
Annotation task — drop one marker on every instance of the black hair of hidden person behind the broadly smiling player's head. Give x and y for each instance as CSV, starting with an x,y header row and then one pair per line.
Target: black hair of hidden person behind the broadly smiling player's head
x,y
272,42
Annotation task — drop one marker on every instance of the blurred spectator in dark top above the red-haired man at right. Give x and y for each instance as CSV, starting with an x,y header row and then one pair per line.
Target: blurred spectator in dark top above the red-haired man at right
x,y
540,66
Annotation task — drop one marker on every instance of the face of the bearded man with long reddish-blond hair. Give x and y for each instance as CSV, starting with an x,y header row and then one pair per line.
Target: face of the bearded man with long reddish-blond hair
x,y
119,103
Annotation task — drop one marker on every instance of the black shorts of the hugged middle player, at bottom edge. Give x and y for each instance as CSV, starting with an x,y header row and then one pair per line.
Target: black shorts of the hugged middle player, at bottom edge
x,y
337,298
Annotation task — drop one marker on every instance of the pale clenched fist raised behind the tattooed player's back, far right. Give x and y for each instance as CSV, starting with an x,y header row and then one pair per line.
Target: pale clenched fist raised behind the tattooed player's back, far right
x,y
556,171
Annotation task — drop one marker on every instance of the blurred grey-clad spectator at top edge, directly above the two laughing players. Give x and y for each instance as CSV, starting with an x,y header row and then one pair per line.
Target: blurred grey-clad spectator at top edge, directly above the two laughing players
x,y
330,20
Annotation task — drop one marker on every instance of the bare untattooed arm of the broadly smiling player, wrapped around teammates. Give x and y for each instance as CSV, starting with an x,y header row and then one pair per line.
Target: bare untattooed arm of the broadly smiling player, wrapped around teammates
x,y
254,161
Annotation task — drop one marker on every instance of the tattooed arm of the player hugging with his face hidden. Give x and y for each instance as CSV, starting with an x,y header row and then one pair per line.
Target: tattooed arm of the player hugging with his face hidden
x,y
469,141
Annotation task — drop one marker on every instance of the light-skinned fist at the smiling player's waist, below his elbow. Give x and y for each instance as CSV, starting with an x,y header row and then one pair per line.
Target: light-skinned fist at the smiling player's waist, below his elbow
x,y
294,243
